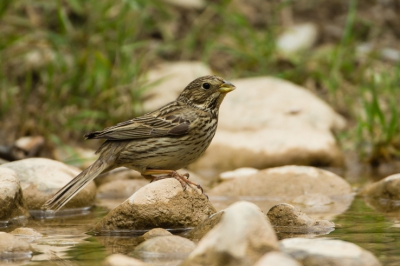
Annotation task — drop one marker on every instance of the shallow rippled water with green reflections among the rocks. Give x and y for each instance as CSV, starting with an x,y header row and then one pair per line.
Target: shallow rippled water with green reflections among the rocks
x,y
66,241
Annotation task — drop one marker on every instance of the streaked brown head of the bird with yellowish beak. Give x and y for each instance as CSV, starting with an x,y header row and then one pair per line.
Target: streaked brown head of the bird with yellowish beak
x,y
206,92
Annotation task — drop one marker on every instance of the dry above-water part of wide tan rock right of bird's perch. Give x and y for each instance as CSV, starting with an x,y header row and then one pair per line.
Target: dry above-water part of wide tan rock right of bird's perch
x,y
286,182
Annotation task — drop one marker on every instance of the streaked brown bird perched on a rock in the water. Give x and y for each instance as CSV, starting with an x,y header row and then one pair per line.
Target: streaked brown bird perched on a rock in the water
x,y
158,143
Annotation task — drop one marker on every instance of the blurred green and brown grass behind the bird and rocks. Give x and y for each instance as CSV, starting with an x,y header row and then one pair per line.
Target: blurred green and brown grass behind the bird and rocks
x,y
68,67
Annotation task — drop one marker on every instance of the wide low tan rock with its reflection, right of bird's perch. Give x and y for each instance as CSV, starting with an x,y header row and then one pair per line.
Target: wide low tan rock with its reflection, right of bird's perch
x,y
289,184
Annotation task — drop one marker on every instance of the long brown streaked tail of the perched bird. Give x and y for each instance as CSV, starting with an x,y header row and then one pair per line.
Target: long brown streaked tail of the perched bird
x,y
75,185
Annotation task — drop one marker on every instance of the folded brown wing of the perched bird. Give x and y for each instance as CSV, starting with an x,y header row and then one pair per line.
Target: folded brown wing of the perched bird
x,y
173,122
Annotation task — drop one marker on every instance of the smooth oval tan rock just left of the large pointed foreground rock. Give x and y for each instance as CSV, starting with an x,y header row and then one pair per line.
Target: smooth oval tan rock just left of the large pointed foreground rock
x,y
164,250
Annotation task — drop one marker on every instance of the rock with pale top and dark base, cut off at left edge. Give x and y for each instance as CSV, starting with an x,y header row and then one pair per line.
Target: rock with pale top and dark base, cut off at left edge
x,y
12,202
